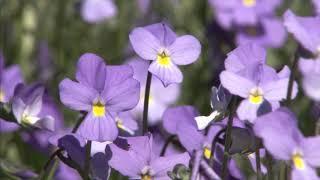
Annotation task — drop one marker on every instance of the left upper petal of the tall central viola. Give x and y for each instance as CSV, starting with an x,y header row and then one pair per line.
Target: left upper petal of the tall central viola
x,y
145,44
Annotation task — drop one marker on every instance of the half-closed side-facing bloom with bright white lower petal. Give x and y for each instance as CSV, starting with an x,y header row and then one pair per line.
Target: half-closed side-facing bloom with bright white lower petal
x,y
220,99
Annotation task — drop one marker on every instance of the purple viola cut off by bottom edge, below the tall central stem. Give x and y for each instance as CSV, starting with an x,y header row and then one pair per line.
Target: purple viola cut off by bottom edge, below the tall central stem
x,y
139,161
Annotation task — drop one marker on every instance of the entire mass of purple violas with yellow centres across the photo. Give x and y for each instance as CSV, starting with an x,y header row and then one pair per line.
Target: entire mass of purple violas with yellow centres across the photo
x,y
130,119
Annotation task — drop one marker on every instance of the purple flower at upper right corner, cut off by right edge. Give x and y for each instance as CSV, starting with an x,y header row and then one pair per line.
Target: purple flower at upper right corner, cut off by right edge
x,y
305,30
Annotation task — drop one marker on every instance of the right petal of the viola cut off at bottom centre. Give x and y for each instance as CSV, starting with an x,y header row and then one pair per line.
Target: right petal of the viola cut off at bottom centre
x,y
162,165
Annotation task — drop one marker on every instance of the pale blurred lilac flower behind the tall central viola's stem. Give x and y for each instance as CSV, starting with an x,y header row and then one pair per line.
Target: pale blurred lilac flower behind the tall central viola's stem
x,y
160,97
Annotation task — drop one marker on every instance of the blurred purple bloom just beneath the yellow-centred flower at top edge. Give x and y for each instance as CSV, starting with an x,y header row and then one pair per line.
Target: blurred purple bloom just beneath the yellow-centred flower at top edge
x,y
269,32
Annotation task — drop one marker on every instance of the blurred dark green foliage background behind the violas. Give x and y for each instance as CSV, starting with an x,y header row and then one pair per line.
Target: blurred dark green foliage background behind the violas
x,y
46,38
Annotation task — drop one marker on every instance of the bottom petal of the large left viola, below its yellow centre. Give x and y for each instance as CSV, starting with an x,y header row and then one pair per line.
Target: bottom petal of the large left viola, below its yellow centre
x,y
98,128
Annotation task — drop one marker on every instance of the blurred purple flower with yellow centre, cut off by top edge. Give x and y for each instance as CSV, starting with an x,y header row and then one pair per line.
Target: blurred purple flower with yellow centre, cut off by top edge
x,y
242,12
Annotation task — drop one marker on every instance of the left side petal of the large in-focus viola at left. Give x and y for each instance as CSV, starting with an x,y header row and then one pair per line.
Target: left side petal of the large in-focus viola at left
x,y
76,96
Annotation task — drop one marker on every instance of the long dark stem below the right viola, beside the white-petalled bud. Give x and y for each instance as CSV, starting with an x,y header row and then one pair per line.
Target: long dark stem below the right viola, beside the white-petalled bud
x,y
227,144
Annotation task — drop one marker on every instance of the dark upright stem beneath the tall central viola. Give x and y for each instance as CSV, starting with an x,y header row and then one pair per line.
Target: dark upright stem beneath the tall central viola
x,y
146,104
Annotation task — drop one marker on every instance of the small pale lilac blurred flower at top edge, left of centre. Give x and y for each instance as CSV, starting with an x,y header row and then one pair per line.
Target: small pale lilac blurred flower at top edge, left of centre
x,y
96,11
